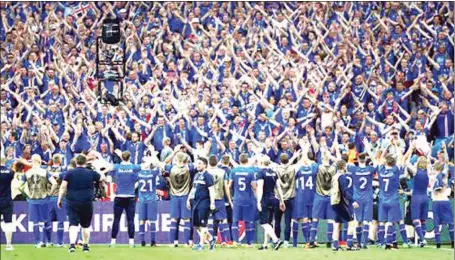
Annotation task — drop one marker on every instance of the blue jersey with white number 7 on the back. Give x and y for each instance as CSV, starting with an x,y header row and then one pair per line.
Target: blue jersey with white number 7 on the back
x,y
389,182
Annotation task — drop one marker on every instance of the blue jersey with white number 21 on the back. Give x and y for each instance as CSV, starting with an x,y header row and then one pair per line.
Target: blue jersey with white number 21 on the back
x,y
148,182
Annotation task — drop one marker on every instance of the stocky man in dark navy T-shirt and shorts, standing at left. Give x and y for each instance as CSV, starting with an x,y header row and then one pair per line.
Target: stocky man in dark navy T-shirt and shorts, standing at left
x,y
78,184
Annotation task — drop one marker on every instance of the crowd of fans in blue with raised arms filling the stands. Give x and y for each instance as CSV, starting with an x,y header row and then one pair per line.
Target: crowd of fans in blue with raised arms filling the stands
x,y
229,78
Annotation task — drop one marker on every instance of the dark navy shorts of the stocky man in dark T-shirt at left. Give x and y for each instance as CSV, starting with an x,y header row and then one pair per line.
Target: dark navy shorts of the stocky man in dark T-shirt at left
x,y
80,212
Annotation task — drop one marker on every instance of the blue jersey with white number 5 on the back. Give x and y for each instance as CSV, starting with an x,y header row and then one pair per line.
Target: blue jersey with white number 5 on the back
x,y
242,178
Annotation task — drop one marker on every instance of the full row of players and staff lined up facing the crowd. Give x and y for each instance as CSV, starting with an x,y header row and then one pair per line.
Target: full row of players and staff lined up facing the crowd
x,y
212,196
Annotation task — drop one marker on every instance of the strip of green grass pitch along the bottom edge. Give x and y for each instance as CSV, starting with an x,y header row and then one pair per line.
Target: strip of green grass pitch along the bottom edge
x,y
27,252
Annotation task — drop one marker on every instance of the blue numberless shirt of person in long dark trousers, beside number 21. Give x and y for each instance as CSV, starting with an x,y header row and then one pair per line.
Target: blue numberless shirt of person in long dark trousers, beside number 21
x,y
125,176
